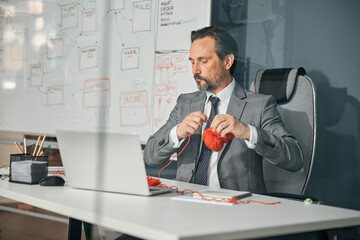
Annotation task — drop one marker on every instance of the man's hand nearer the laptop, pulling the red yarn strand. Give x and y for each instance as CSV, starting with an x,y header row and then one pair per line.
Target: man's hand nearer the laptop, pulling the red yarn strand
x,y
190,124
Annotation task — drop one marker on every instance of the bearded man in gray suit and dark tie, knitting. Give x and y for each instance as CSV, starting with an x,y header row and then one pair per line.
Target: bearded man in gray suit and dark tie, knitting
x,y
252,118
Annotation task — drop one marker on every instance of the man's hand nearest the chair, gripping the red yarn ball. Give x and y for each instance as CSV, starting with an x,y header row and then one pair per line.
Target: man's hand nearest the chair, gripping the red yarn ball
x,y
226,123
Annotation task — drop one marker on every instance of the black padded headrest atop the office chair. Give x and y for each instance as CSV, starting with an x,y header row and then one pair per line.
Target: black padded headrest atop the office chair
x,y
278,82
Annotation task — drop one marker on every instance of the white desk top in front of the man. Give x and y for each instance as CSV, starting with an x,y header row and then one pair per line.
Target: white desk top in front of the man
x,y
160,217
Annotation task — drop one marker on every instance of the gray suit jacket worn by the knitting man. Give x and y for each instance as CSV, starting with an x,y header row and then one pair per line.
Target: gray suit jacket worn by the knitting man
x,y
239,167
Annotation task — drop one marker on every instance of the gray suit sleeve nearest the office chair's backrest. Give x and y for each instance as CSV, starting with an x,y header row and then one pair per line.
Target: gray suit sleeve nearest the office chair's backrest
x,y
274,143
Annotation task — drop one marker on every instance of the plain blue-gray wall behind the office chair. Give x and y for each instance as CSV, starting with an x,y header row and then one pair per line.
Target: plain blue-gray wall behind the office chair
x,y
323,36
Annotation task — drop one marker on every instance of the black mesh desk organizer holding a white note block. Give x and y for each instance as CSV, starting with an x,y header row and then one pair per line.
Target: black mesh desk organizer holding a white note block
x,y
25,168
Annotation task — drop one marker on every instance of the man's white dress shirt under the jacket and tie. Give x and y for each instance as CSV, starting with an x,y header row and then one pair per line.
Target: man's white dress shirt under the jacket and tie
x,y
224,96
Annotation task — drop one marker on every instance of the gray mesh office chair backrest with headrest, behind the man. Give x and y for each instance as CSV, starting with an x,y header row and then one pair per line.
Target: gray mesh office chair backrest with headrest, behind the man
x,y
295,95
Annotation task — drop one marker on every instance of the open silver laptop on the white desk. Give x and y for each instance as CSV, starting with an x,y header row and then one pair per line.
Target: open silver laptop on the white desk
x,y
111,162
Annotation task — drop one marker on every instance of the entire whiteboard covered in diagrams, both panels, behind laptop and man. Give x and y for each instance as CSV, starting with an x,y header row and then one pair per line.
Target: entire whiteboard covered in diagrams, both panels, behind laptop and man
x,y
90,65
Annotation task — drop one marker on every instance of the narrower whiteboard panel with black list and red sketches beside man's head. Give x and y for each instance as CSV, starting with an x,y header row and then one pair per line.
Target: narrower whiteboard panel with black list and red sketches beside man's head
x,y
176,19
